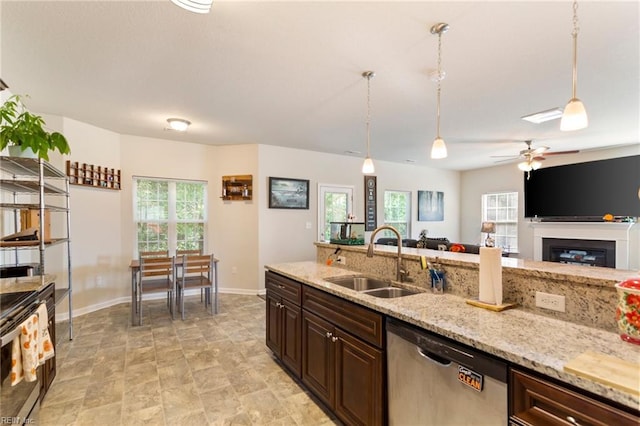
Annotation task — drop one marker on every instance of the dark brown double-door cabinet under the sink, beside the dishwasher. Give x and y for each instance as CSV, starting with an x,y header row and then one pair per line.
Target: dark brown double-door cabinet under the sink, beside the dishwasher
x,y
343,370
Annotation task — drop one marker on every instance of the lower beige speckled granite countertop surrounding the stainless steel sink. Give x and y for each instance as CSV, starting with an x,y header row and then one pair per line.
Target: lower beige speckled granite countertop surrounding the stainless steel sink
x,y
533,341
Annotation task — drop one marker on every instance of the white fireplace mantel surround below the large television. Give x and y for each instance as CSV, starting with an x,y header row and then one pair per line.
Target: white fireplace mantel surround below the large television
x,y
623,233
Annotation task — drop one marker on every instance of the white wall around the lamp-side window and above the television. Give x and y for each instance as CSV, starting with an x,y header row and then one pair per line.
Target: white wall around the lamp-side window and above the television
x,y
508,177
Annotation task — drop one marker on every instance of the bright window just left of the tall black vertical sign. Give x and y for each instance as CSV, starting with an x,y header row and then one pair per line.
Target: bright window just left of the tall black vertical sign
x,y
335,203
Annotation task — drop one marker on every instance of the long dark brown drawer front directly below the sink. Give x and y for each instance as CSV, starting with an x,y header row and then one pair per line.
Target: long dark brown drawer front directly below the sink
x,y
357,320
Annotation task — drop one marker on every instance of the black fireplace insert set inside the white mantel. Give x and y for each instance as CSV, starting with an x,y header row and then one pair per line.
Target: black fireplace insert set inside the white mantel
x,y
580,252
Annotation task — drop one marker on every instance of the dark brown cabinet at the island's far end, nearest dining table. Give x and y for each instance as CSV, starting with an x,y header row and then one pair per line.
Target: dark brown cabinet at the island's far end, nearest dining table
x,y
283,316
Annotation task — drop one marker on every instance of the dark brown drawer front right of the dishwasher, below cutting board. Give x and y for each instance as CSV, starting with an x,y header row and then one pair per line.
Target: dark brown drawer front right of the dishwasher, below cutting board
x,y
536,401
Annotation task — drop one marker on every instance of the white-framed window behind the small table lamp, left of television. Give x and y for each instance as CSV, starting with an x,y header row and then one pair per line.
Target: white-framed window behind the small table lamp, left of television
x,y
502,208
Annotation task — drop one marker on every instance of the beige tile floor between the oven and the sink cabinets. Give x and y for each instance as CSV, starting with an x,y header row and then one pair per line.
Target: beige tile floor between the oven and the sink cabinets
x,y
206,369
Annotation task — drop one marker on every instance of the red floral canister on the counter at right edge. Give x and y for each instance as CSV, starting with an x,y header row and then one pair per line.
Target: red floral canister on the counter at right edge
x,y
628,310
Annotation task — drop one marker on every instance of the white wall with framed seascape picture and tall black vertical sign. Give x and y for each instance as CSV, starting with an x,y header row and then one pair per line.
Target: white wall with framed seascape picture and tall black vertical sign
x,y
283,234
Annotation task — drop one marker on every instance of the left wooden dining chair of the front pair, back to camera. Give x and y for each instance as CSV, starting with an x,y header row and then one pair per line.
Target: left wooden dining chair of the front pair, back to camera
x,y
157,275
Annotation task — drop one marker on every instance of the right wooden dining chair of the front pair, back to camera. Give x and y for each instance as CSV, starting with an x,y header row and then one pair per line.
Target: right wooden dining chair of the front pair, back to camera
x,y
197,271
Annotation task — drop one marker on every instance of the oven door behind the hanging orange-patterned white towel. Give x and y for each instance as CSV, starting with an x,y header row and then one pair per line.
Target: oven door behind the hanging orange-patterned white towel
x,y
20,402
